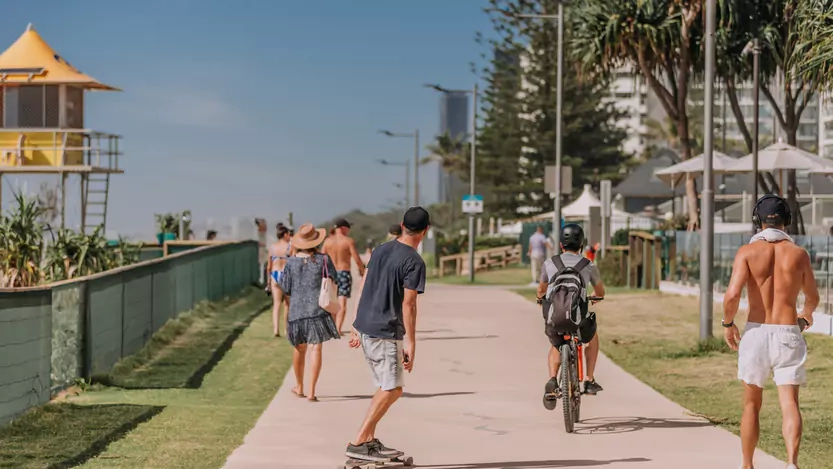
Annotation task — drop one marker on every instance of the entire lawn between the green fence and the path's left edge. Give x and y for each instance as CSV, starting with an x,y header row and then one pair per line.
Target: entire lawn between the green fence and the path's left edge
x,y
190,427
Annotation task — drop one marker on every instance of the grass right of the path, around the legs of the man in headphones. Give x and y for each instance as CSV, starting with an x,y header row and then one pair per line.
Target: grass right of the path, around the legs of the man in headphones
x,y
655,338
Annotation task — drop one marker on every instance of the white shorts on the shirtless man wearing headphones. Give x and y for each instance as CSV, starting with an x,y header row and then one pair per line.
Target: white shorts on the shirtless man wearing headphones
x,y
769,349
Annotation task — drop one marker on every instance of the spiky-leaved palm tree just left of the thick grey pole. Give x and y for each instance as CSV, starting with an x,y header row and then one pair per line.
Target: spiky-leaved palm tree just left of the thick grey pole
x,y
658,38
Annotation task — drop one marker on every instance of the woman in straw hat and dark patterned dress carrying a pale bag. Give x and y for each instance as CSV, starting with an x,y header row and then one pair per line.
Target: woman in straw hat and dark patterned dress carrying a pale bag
x,y
309,325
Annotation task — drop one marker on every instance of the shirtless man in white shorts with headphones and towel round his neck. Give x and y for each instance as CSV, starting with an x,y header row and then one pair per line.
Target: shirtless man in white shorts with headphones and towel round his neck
x,y
774,272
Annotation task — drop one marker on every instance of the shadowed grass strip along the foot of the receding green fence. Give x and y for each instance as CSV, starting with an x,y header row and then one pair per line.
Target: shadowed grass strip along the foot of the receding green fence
x,y
185,349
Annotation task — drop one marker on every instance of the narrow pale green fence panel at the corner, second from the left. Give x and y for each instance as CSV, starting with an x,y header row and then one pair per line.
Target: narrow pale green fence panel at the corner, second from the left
x,y
68,319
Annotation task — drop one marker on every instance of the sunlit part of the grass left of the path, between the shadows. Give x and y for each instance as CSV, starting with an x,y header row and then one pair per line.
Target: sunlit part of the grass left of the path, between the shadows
x,y
199,428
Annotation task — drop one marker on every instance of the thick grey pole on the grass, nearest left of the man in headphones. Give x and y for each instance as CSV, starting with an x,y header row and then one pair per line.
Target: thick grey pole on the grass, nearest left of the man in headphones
x,y
707,202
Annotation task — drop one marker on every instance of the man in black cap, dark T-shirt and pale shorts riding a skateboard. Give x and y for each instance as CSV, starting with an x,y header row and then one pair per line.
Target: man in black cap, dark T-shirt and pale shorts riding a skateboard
x,y
385,327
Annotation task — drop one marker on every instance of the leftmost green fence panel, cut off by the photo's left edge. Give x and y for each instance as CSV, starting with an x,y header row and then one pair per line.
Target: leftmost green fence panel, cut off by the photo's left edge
x,y
25,350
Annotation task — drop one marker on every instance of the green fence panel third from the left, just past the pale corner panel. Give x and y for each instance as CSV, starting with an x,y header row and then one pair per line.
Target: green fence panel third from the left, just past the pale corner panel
x,y
105,296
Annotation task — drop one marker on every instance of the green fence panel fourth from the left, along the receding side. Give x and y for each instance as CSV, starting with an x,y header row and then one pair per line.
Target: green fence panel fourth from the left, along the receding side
x,y
137,325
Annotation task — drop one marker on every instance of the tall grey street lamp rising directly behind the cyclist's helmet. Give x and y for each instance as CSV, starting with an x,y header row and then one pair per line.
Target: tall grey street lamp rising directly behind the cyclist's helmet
x,y
559,17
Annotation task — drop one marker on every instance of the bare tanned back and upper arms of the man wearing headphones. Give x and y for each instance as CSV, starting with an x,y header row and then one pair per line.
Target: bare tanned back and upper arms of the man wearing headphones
x,y
774,274
